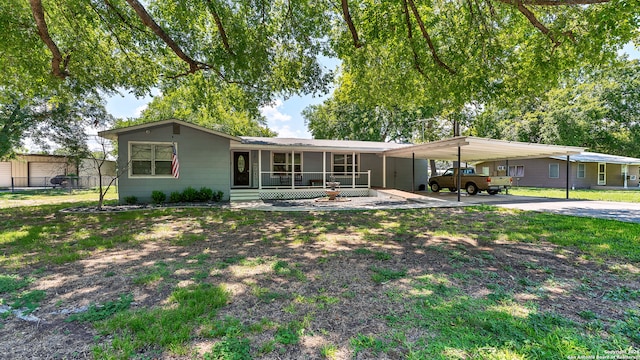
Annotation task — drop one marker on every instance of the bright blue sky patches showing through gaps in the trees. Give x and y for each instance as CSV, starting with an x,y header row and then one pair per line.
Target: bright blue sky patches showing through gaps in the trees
x,y
284,116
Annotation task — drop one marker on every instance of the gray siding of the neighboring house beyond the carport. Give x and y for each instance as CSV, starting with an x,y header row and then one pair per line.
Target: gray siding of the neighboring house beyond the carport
x,y
536,173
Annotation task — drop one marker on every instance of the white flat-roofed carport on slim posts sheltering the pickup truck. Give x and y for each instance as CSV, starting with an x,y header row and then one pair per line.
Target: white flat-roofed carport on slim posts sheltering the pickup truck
x,y
475,149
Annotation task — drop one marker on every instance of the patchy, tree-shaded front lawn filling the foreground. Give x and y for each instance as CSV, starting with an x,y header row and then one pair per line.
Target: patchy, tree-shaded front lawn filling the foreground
x,y
477,282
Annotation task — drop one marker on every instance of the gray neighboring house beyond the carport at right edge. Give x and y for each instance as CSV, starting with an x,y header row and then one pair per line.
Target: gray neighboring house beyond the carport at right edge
x,y
586,170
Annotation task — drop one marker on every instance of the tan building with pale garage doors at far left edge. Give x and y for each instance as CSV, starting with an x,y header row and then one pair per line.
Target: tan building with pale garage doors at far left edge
x,y
31,170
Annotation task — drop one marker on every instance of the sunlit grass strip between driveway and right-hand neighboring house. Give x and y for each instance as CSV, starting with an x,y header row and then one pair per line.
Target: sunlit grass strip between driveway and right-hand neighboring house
x,y
581,194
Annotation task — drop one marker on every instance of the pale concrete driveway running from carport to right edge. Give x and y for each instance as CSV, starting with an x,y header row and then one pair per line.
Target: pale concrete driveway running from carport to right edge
x,y
629,212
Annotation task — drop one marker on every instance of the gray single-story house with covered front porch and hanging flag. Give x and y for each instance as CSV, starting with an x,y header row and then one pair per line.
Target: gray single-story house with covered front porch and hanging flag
x,y
245,168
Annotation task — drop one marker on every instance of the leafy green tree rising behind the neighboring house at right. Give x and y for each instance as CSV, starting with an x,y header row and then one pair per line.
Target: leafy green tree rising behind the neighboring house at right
x,y
598,109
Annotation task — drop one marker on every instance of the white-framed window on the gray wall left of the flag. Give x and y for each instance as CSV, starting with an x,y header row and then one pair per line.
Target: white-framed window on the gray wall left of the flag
x,y
150,159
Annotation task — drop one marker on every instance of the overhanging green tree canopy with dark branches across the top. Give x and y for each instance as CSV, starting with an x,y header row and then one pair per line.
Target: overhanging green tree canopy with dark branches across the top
x,y
435,54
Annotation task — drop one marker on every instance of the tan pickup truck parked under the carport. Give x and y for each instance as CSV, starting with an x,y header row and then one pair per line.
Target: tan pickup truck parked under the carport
x,y
471,182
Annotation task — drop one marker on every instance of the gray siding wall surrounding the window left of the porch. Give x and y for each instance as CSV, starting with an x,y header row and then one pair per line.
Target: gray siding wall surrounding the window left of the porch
x,y
204,161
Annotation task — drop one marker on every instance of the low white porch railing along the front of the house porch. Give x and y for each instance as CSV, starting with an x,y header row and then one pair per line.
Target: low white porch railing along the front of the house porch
x,y
313,180
